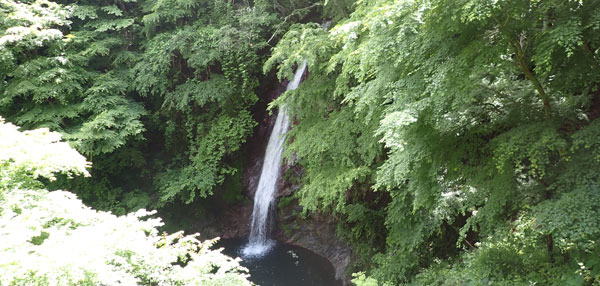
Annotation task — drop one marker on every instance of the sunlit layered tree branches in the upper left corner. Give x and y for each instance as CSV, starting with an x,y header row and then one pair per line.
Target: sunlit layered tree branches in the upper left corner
x,y
50,78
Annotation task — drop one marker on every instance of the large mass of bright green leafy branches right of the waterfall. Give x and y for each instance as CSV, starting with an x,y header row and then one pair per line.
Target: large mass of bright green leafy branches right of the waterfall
x,y
480,107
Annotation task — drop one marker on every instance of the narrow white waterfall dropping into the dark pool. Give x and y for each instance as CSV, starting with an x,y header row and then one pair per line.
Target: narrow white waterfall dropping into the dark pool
x,y
259,241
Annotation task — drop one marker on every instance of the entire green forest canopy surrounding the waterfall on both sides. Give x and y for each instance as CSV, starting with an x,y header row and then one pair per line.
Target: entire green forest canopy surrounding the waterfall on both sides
x,y
454,141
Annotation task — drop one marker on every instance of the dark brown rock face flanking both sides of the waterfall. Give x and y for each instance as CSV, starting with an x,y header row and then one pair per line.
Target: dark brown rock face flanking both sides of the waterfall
x,y
316,232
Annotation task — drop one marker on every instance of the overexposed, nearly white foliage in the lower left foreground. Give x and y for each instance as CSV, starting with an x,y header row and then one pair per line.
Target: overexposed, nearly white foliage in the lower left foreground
x,y
52,238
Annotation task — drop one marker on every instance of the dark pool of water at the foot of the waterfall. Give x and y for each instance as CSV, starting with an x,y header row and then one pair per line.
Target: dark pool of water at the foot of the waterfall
x,y
284,265
